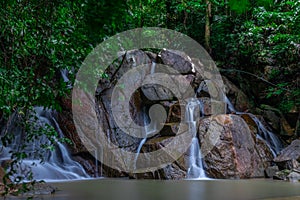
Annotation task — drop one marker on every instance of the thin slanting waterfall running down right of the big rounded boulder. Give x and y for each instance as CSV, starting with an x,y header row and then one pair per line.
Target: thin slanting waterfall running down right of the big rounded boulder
x,y
272,141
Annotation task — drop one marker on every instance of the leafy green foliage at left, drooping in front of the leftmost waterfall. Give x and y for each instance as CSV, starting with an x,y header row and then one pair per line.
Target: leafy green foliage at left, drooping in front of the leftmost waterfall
x,y
37,40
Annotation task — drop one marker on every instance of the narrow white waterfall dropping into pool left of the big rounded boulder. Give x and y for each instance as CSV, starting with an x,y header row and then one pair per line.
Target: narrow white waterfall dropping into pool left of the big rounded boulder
x,y
194,109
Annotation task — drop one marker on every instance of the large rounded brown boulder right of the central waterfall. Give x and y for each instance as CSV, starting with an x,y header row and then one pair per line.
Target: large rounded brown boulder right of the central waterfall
x,y
237,153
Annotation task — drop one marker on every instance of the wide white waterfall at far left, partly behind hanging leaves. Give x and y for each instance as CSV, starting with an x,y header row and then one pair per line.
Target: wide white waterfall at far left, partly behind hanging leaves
x,y
57,165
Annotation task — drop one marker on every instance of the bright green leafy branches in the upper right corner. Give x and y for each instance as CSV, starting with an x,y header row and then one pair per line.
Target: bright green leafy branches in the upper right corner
x,y
271,37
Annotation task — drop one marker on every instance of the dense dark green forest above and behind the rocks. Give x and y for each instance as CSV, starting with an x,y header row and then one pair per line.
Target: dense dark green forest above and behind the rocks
x,y
251,42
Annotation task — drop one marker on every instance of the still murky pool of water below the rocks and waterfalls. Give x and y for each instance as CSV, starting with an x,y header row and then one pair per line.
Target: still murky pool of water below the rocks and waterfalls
x,y
116,189
